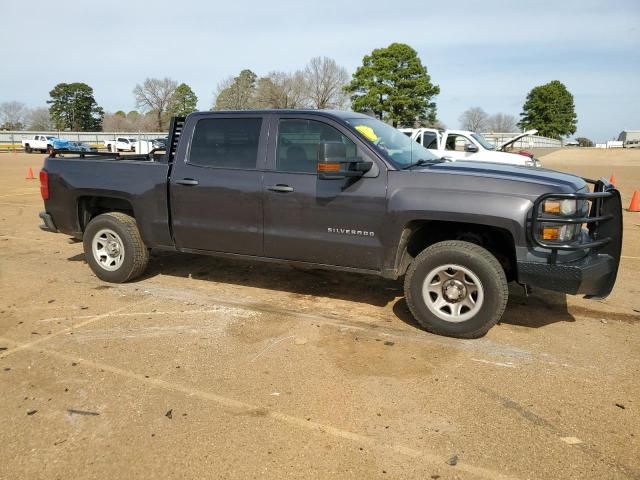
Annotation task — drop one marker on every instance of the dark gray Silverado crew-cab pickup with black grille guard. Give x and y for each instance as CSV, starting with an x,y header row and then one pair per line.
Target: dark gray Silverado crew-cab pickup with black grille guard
x,y
344,191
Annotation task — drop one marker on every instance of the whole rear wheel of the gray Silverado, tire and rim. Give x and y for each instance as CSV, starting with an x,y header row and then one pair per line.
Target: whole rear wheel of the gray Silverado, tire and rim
x,y
114,248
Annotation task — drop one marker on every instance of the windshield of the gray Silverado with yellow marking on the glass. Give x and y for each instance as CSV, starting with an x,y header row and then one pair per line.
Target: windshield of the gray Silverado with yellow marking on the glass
x,y
392,143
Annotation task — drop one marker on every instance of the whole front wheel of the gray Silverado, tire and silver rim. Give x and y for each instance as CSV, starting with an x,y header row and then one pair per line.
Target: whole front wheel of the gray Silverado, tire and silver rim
x,y
457,289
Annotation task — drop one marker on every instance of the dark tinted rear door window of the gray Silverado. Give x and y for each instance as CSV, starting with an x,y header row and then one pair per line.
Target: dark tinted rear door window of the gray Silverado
x,y
226,143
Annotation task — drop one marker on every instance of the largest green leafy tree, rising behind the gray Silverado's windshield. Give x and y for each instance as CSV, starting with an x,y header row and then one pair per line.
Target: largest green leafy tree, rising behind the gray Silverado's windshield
x,y
394,85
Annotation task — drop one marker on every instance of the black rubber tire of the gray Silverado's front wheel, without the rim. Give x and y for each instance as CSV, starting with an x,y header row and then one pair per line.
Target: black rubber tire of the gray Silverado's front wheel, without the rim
x,y
477,260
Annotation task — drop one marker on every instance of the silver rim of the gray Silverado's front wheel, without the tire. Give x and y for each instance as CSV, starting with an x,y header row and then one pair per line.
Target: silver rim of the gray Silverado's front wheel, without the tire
x,y
453,293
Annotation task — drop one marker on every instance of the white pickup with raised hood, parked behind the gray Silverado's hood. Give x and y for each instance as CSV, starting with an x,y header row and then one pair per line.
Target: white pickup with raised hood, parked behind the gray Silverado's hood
x,y
466,145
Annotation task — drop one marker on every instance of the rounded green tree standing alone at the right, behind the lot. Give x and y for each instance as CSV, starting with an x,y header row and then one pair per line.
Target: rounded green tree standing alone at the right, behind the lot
x,y
549,108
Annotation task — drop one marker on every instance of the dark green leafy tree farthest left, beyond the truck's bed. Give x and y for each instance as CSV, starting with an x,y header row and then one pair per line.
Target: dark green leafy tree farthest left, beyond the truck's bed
x,y
73,107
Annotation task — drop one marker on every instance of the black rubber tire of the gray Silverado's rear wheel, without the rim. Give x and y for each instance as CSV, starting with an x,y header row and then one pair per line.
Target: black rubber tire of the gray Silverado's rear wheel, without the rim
x,y
136,254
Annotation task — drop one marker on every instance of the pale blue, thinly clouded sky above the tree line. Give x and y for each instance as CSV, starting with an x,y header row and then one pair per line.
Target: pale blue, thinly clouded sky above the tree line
x,y
487,54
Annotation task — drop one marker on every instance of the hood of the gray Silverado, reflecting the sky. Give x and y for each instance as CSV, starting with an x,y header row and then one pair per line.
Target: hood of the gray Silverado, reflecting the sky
x,y
552,179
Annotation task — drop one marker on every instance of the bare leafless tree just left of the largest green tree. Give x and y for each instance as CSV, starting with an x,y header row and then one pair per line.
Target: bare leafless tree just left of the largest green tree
x,y
324,83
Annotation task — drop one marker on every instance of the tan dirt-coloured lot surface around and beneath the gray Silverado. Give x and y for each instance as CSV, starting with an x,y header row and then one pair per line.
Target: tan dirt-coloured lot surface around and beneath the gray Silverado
x,y
208,368
